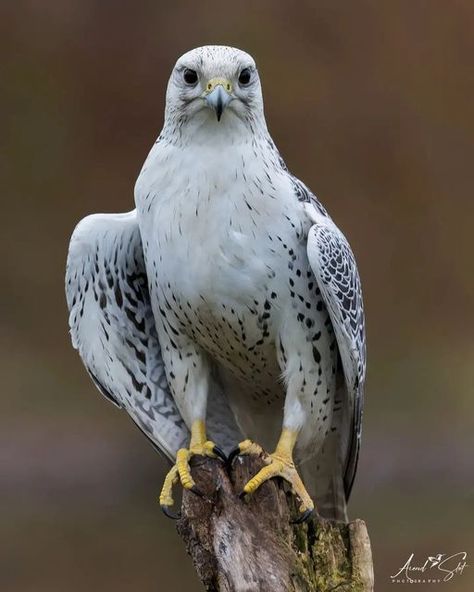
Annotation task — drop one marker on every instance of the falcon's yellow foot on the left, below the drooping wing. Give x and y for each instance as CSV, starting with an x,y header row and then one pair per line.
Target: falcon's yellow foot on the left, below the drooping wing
x,y
181,472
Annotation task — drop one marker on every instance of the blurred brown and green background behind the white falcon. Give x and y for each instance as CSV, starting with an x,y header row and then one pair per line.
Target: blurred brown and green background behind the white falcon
x,y
371,104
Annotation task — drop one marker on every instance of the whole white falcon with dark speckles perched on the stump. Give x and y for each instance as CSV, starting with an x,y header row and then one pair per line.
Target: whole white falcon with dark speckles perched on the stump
x,y
227,306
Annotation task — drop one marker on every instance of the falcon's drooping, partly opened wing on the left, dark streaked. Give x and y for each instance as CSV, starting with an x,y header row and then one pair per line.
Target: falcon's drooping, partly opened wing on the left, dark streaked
x,y
113,328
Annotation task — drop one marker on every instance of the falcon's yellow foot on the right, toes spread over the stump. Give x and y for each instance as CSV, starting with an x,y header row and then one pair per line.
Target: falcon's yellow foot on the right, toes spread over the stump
x,y
279,464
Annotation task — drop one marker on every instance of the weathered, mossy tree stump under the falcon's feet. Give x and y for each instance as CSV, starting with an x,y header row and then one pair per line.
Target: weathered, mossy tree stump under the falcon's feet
x,y
250,545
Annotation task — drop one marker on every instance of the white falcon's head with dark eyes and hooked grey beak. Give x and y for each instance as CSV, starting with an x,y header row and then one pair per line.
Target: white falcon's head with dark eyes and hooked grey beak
x,y
214,86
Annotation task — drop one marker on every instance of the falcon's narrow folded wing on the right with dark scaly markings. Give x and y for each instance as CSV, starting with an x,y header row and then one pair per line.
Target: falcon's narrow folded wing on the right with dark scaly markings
x,y
335,269
